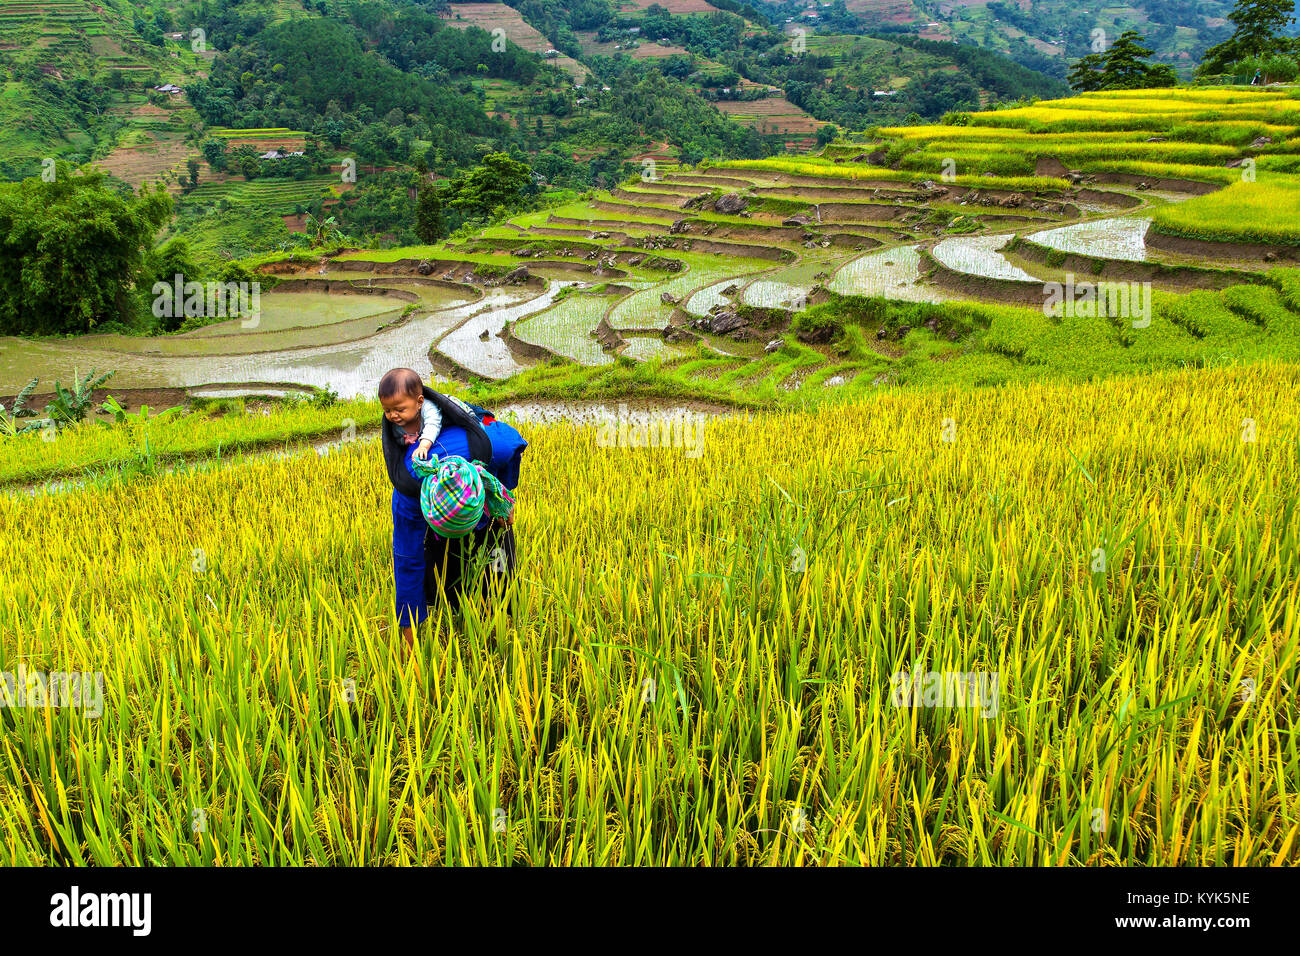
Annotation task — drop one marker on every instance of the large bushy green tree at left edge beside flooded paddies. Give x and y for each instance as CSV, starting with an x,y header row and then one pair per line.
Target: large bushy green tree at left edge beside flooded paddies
x,y
72,252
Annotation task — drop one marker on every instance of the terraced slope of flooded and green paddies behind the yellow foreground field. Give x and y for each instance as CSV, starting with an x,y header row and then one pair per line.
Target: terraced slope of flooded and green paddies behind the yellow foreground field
x,y
924,254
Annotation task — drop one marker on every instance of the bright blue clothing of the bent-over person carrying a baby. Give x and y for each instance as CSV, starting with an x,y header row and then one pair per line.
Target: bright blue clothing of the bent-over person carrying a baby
x,y
410,527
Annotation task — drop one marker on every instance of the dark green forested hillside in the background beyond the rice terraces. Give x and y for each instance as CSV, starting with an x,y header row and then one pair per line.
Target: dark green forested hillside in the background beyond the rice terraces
x,y
249,111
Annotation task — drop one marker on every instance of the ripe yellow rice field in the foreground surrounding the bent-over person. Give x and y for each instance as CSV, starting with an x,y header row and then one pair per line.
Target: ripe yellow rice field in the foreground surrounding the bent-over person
x,y
701,667
